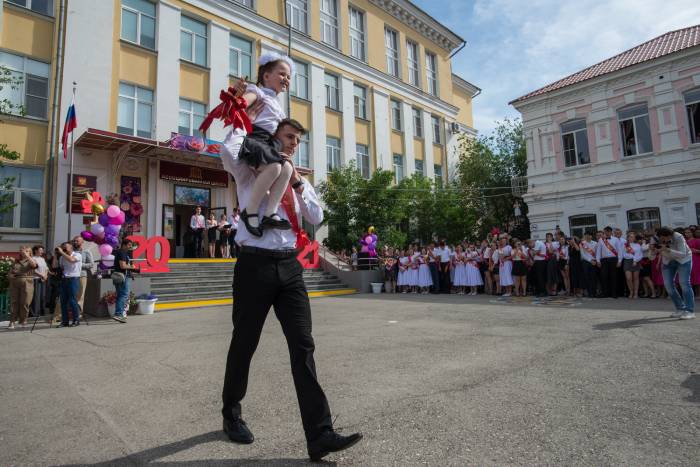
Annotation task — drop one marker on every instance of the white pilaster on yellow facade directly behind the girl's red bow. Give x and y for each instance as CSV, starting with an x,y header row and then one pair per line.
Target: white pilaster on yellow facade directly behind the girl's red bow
x,y
218,73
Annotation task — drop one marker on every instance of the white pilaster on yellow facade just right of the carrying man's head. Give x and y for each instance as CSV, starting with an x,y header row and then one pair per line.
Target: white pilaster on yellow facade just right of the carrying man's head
x,y
318,123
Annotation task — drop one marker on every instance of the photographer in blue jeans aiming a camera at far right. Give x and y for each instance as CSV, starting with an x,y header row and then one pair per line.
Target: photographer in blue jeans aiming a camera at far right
x,y
677,259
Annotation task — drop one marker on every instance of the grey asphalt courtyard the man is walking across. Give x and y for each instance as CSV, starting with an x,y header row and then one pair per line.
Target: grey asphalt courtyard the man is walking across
x,y
444,380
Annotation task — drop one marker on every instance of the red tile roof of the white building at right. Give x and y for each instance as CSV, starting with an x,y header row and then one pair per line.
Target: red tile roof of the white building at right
x,y
665,44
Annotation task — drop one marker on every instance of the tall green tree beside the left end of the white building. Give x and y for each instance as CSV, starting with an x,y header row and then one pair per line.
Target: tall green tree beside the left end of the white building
x,y
486,167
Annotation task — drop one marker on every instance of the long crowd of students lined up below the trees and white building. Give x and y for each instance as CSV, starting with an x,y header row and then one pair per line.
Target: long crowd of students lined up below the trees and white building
x,y
605,264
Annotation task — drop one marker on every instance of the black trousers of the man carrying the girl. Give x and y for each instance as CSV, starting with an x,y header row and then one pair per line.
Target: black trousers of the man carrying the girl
x,y
261,282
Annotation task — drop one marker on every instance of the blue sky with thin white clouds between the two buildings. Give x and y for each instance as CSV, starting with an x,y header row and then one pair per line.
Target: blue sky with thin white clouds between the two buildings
x,y
517,46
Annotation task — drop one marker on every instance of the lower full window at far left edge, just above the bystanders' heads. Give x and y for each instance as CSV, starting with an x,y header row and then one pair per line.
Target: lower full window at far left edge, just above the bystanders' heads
x,y
26,195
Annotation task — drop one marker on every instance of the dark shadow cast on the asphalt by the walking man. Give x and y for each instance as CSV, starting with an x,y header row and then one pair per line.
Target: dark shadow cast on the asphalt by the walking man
x,y
151,456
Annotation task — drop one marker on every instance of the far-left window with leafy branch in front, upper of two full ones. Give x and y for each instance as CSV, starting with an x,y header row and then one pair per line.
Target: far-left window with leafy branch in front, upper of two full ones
x,y
31,96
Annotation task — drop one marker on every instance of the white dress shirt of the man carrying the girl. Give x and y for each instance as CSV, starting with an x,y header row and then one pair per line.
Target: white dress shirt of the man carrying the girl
x,y
306,204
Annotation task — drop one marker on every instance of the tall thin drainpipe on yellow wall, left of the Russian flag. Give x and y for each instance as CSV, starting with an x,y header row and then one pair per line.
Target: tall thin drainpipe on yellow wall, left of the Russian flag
x,y
58,78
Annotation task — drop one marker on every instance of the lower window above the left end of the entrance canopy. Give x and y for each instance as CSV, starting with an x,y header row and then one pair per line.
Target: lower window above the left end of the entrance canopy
x,y
135,111
